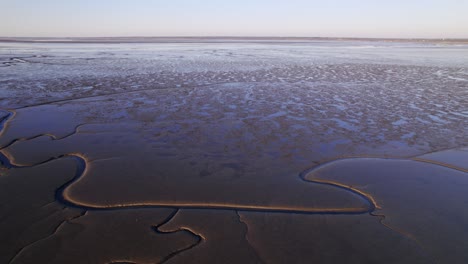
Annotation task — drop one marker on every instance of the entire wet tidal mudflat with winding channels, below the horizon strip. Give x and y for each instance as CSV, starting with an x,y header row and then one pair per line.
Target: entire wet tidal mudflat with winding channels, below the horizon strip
x,y
233,154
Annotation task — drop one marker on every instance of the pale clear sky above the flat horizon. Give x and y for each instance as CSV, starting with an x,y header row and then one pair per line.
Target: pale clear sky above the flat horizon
x,y
299,18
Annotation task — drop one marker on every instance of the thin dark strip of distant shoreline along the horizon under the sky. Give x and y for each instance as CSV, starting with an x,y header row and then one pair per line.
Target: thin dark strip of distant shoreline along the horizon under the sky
x,y
227,39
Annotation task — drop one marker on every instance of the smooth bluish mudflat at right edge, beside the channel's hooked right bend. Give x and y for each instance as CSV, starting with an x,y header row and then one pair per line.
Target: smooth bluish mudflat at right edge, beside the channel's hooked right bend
x,y
426,202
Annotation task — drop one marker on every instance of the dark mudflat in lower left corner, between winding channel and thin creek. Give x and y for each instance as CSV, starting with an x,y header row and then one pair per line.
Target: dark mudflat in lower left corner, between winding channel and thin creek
x,y
29,211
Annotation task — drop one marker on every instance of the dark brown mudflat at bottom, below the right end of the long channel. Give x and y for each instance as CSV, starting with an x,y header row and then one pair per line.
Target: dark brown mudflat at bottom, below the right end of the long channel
x,y
282,238
